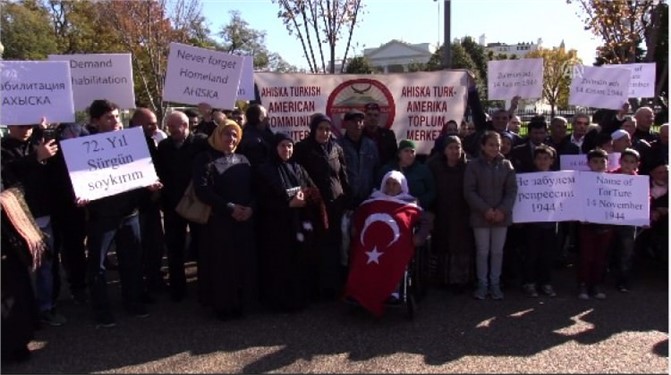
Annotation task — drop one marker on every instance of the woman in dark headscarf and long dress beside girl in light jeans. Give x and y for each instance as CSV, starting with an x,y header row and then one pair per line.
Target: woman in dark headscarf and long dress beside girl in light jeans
x,y
452,240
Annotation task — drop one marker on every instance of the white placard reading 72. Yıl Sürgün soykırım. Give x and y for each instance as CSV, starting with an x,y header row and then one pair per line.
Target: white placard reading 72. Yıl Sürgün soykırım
x,y
106,164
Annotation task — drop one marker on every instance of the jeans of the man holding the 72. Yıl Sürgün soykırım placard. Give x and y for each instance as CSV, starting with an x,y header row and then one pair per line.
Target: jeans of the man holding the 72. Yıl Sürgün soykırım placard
x,y
126,234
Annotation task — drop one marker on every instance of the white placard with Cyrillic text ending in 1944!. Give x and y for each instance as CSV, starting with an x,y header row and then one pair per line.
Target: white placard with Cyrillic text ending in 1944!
x,y
546,196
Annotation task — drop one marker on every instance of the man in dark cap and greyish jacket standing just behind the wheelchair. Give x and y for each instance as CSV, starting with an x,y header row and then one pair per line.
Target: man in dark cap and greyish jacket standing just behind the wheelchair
x,y
361,157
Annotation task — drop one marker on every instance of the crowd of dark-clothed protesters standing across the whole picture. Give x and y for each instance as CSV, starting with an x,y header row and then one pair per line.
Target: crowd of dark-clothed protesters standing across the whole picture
x,y
274,239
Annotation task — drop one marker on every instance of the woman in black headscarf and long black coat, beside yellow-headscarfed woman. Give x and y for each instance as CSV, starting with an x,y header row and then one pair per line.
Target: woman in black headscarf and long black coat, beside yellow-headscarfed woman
x,y
288,216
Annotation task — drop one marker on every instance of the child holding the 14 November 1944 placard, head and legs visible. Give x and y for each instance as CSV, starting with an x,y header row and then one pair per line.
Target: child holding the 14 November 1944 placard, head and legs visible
x,y
624,235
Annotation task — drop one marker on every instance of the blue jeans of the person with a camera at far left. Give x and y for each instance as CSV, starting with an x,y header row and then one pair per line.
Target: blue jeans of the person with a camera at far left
x,y
44,279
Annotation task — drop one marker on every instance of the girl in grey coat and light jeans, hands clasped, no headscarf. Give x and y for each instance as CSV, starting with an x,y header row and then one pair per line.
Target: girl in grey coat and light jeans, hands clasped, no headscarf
x,y
490,188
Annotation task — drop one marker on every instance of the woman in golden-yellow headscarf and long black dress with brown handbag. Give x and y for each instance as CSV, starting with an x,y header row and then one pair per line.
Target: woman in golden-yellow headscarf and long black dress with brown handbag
x,y
227,257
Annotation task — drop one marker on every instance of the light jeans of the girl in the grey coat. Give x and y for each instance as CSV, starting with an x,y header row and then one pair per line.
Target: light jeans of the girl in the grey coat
x,y
489,244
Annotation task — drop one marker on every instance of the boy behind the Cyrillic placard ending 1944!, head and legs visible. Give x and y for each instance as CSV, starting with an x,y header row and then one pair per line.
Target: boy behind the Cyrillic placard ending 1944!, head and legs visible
x,y
538,256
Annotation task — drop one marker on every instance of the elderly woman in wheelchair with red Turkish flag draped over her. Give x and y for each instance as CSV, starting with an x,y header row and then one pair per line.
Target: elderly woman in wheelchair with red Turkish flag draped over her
x,y
386,228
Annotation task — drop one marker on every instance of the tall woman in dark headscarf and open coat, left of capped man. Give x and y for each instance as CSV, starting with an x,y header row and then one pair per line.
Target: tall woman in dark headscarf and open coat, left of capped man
x,y
324,160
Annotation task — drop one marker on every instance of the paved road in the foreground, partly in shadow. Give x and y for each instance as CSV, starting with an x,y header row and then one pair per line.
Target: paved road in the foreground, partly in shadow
x,y
450,334
